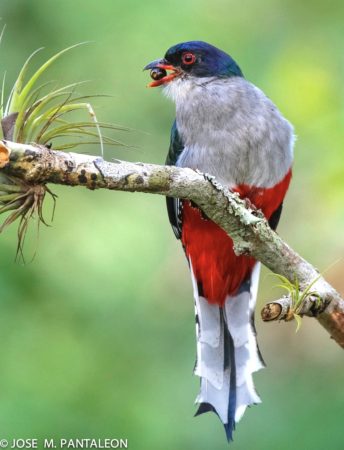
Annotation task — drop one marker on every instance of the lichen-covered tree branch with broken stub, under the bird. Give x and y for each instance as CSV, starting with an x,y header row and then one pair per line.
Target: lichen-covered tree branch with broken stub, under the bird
x,y
247,227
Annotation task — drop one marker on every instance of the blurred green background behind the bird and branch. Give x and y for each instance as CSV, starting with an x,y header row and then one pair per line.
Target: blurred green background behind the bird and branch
x,y
97,333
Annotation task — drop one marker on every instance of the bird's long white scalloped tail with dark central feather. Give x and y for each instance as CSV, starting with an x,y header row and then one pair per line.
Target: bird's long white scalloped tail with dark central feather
x,y
227,353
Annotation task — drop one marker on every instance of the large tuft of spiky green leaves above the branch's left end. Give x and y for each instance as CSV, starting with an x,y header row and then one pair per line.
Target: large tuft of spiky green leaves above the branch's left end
x,y
40,116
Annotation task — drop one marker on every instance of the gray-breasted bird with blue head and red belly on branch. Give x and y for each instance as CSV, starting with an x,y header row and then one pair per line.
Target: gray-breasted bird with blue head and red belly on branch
x,y
226,127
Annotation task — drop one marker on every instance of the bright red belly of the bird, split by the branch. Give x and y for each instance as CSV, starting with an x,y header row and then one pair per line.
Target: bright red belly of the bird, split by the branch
x,y
210,249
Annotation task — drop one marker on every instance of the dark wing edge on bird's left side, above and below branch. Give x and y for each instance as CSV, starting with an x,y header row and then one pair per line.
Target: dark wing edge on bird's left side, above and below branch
x,y
174,205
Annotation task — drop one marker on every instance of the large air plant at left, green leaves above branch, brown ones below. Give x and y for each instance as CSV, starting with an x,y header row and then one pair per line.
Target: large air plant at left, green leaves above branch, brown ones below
x,y
40,115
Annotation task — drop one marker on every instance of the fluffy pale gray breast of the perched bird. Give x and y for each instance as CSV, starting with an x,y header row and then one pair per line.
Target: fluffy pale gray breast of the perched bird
x,y
232,130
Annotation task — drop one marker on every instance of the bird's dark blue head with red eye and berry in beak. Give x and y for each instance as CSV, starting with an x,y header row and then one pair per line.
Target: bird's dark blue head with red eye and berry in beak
x,y
192,59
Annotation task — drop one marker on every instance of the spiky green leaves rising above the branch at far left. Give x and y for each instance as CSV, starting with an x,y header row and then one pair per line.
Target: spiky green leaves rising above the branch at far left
x,y
34,111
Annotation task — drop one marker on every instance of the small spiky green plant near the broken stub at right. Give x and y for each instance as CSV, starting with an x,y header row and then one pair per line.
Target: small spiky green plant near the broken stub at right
x,y
297,296
